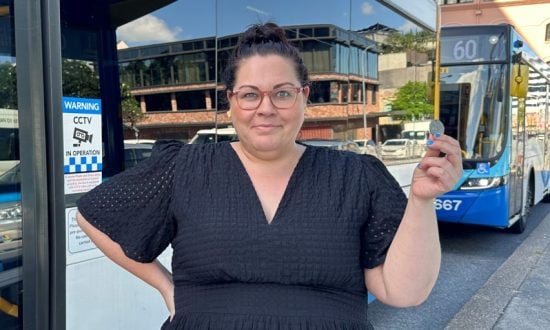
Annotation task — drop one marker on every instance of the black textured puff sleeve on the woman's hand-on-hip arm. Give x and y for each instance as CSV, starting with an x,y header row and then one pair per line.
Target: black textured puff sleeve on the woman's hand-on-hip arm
x,y
133,207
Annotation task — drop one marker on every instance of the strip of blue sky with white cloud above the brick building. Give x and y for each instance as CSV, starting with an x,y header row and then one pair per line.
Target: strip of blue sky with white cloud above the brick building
x,y
191,19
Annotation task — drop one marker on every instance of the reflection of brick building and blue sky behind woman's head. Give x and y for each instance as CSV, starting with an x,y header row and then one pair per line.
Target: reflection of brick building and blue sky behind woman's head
x,y
177,82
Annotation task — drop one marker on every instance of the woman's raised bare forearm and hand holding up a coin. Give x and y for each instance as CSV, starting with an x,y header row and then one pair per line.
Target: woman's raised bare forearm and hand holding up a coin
x,y
412,263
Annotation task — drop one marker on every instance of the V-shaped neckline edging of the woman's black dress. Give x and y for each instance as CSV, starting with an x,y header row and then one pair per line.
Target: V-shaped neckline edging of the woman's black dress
x,y
254,192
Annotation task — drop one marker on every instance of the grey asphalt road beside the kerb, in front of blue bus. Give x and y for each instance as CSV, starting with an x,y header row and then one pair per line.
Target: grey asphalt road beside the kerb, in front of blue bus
x,y
471,255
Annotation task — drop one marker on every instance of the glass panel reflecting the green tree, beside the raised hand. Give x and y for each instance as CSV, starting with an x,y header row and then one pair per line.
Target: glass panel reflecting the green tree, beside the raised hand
x,y
393,72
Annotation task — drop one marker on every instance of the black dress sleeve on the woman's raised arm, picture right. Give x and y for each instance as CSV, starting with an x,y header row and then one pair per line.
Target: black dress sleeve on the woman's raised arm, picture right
x,y
386,208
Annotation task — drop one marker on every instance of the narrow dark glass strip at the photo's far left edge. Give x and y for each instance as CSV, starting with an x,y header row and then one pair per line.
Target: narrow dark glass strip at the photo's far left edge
x,y
10,187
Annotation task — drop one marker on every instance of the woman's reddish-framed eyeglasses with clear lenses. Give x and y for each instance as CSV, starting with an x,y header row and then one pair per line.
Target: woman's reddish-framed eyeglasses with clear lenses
x,y
250,98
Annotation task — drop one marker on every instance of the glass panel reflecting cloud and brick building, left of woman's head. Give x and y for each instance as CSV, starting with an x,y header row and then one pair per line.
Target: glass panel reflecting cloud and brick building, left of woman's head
x,y
167,60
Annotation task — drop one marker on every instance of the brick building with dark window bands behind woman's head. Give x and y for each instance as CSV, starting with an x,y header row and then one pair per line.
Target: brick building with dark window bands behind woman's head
x,y
178,87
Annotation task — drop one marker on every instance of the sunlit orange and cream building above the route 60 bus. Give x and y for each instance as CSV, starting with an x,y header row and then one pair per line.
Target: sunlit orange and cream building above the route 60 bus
x,y
530,18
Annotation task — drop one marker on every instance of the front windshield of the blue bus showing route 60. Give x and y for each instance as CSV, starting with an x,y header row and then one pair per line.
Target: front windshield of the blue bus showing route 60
x,y
473,108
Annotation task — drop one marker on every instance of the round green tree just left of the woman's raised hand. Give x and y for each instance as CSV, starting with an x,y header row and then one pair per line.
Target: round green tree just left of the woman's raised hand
x,y
413,98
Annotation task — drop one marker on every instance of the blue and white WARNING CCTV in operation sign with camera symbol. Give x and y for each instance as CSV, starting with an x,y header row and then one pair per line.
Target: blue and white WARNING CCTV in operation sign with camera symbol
x,y
82,143
